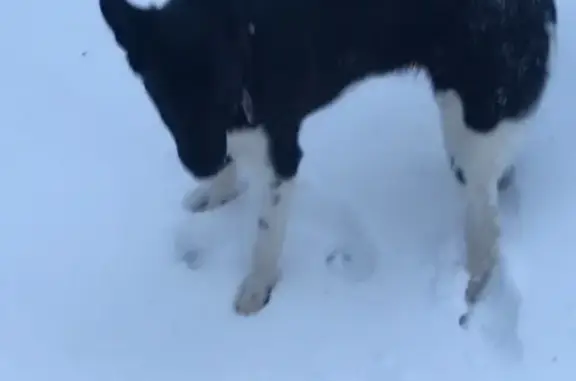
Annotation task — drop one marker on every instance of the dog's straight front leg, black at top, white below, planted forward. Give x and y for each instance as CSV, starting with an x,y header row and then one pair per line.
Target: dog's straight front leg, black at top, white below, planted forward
x,y
281,165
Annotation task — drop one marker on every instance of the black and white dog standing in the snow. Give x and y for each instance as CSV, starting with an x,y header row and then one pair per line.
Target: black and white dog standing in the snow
x,y
221,71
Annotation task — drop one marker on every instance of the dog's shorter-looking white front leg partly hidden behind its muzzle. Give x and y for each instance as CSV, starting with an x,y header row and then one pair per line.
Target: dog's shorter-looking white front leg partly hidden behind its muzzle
x,y
216,191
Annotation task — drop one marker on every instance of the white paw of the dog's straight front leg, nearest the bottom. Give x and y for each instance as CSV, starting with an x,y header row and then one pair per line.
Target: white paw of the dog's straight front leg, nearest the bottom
x,y
254,293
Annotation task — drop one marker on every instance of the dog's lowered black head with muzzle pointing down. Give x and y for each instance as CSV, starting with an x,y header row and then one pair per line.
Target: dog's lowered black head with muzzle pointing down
x,y
189,57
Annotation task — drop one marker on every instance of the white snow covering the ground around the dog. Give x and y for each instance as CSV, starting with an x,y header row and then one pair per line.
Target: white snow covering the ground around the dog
x,y
92,285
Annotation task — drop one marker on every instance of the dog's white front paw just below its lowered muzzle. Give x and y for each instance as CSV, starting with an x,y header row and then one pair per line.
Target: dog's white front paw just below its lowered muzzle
x,y
208,197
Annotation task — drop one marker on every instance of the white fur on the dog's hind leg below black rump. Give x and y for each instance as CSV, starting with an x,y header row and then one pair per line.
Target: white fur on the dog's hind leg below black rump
x,y
483,158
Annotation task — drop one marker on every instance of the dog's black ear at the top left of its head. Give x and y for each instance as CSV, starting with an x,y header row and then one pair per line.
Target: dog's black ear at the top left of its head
x,y
131,25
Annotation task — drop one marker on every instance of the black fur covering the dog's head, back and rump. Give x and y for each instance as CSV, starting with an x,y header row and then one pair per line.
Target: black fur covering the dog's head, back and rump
x,y
195,57
